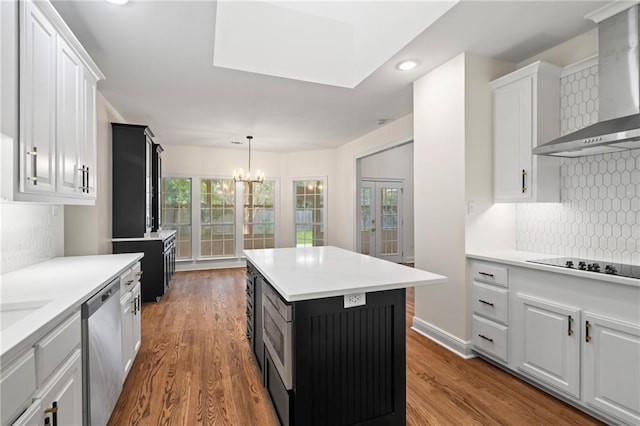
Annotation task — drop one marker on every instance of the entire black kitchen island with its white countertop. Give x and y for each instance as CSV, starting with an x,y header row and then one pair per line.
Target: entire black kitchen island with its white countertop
x,y
334,334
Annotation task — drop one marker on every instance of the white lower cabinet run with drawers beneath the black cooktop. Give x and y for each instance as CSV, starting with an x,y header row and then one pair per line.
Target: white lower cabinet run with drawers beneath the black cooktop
x,y
577,337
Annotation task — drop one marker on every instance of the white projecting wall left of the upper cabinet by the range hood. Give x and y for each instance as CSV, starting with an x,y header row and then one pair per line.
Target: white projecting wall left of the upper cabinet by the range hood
x,y
452,147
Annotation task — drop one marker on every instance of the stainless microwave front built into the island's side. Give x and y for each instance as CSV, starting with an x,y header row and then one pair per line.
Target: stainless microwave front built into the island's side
x,y
277,332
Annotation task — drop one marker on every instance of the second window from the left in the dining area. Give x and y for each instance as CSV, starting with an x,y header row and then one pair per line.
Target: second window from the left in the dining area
x,y
217,217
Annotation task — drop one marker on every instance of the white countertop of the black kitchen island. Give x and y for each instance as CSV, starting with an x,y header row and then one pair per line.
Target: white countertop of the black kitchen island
x,y
316,272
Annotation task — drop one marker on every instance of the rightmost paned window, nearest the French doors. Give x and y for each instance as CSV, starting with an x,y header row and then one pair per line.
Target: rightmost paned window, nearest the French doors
x,y
310,213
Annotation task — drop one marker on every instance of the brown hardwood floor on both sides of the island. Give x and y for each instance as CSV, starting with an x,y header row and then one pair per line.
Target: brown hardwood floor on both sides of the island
x,y
195,367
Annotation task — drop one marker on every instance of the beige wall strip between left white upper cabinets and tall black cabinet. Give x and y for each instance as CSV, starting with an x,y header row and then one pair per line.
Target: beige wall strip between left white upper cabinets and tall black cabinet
x,y
87,229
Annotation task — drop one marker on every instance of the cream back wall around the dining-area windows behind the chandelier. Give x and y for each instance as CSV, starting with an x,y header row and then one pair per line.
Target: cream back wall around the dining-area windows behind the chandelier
x,y
338,166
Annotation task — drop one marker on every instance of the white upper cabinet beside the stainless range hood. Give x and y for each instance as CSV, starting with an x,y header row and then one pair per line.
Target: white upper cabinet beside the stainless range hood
x,y
526,113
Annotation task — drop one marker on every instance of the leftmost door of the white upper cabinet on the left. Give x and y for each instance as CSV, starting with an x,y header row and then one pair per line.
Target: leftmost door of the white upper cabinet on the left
x,y
37,101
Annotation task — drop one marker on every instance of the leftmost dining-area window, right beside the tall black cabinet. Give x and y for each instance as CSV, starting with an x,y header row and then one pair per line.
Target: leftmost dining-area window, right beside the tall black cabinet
x,y
176,212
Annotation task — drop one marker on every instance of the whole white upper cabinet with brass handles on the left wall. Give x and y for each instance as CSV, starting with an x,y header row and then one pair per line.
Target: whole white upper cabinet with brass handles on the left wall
x,y
57,110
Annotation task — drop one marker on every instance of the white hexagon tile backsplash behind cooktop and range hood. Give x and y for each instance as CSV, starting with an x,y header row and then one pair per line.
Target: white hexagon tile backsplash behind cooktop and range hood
x,y
599,213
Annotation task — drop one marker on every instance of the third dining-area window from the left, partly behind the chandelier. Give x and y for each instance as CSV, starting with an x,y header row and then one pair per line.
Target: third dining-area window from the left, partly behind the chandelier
x,y
259,215
